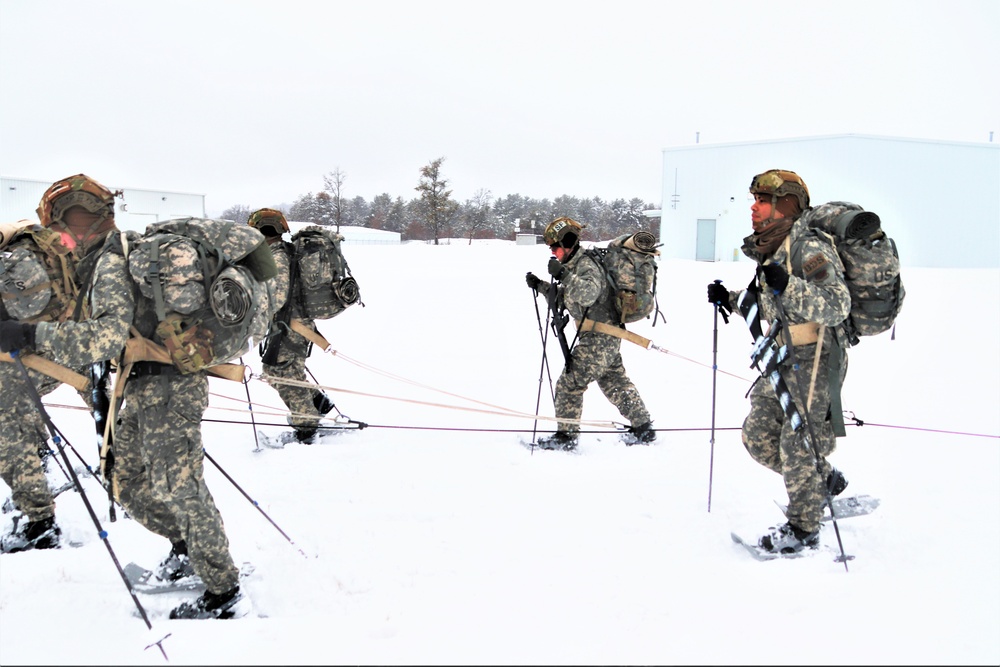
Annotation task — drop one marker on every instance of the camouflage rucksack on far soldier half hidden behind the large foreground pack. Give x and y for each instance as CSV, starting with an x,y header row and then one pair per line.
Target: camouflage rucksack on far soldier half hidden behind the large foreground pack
x,y
324,285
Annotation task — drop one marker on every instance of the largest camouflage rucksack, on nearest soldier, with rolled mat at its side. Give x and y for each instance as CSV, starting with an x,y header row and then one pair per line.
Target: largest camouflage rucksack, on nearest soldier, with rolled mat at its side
x,y
207,280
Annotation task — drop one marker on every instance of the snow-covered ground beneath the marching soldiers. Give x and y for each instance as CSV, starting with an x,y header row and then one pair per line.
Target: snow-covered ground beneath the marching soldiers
x,y
433,536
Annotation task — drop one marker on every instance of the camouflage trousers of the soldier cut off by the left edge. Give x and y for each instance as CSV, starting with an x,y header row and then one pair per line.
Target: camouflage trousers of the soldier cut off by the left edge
x,y
22,435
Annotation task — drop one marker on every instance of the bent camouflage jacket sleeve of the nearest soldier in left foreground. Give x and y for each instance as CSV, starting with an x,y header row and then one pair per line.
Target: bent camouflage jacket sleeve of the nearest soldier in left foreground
x,y
111,296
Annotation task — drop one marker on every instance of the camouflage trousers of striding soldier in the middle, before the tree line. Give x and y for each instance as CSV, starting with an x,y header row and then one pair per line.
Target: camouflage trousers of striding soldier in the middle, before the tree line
x,y
597,358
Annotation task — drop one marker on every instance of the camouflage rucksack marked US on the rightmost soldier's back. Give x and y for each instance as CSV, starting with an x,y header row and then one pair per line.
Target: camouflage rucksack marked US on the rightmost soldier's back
x,y
871,265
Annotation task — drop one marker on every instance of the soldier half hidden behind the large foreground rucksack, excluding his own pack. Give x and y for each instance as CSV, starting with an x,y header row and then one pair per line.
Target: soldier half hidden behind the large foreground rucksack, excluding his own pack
x,y
285,353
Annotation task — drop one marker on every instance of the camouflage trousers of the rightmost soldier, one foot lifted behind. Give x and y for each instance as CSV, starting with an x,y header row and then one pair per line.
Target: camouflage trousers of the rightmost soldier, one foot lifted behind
x,y
769,437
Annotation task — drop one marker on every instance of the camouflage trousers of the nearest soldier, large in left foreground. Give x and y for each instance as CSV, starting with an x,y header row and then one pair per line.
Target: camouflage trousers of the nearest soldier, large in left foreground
x,y
159,467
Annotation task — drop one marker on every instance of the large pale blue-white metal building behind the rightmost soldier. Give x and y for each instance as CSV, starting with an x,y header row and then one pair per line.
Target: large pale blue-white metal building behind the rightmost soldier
x,y
939,200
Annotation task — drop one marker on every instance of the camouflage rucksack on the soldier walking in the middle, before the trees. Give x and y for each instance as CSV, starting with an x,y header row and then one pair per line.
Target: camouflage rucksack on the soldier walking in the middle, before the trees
x,y
630,264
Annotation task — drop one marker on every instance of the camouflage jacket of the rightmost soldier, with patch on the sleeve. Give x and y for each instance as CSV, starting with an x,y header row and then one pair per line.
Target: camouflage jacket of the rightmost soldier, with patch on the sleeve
x,y
816,291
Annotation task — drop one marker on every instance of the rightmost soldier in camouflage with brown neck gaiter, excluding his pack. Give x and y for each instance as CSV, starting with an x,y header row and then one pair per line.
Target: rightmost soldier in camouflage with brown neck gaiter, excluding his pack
x,y
816,302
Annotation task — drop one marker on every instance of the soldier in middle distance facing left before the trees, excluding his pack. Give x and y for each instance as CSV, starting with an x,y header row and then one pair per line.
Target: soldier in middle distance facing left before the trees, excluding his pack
x,y
586,293
